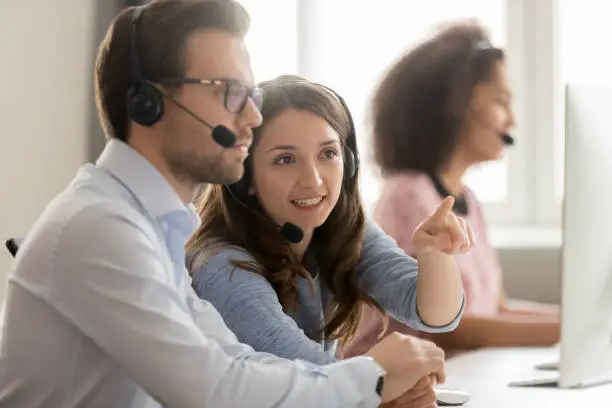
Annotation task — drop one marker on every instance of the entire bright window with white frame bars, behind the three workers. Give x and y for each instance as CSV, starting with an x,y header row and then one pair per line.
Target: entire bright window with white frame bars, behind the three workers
x,y
348,45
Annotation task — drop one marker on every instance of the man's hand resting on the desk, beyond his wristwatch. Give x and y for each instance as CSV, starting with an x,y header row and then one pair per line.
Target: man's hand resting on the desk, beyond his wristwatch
x,y
407,359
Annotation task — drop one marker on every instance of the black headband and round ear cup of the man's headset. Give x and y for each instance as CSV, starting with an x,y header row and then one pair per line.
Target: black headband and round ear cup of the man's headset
x,y
144,102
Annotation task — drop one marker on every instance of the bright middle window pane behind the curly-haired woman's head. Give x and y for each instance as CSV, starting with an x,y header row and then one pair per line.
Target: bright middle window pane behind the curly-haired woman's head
x,y
351,44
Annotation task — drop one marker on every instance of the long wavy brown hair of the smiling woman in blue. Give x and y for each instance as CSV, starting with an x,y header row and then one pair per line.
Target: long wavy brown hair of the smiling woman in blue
x,y
336,244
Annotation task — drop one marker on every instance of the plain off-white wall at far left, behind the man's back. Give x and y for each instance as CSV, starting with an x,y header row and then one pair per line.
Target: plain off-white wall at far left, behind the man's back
x,y
45,105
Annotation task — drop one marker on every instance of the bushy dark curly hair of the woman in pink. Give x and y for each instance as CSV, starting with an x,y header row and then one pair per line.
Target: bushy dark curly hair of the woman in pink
x,y
420,106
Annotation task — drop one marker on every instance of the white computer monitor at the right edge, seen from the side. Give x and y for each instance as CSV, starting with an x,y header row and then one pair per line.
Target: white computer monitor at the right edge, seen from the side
x,y
586,254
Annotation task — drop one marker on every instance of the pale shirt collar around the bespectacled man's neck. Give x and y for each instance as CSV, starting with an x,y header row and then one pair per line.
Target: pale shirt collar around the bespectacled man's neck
x,y
147,184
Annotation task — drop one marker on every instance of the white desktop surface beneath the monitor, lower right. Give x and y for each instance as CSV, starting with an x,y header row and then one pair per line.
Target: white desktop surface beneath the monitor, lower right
x,y
485,374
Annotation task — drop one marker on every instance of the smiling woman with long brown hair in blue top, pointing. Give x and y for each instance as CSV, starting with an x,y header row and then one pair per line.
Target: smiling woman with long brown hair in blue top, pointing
x,y
296,299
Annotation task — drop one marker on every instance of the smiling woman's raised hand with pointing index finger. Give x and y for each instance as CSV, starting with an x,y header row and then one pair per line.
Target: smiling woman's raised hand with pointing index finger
x,y
443,231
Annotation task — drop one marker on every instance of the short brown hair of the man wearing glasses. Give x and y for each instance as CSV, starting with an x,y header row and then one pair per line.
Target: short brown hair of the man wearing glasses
x,y
163,31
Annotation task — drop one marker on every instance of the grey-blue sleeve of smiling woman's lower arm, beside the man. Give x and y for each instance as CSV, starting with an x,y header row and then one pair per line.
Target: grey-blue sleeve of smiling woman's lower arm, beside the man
x,y
250,307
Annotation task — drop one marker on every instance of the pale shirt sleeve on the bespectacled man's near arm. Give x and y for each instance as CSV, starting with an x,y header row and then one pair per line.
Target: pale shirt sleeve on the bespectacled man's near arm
x,y
109,279
